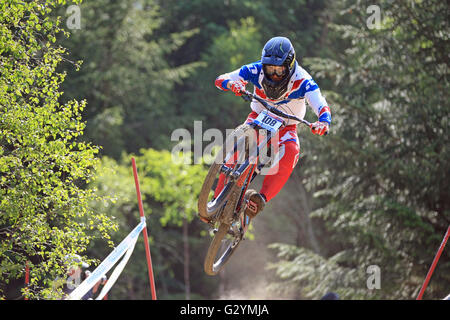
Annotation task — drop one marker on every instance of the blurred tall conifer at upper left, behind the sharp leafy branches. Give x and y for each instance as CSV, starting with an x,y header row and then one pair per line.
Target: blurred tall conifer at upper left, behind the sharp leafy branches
x,y
126,79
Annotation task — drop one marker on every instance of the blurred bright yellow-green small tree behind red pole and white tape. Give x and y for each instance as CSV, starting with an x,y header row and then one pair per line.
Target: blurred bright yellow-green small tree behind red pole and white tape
x,y
169,191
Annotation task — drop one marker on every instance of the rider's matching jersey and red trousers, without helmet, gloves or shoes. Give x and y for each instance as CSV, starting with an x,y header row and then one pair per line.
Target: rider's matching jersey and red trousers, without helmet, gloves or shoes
x,y
301,87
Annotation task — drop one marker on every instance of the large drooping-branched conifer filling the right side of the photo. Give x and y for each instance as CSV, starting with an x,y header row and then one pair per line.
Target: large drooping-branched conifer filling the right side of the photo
x,y
380,191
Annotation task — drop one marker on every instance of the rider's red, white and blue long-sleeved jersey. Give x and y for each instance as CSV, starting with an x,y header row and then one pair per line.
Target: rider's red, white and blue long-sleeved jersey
x,y
301,86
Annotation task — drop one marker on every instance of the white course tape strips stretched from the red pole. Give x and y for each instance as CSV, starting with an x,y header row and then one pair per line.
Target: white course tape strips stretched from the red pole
x,y
125,247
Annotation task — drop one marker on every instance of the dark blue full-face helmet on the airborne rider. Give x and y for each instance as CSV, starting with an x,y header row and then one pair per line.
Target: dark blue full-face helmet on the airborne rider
x,y
278,51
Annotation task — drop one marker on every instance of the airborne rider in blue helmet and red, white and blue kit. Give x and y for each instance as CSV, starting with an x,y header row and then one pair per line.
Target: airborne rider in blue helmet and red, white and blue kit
x,y
282,82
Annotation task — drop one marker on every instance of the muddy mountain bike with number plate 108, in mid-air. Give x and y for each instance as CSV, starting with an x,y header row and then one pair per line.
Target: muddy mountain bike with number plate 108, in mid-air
x,y
242,157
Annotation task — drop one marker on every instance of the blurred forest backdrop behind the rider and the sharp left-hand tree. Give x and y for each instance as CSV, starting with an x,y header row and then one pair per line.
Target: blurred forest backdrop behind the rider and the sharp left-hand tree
x,y
374,192
